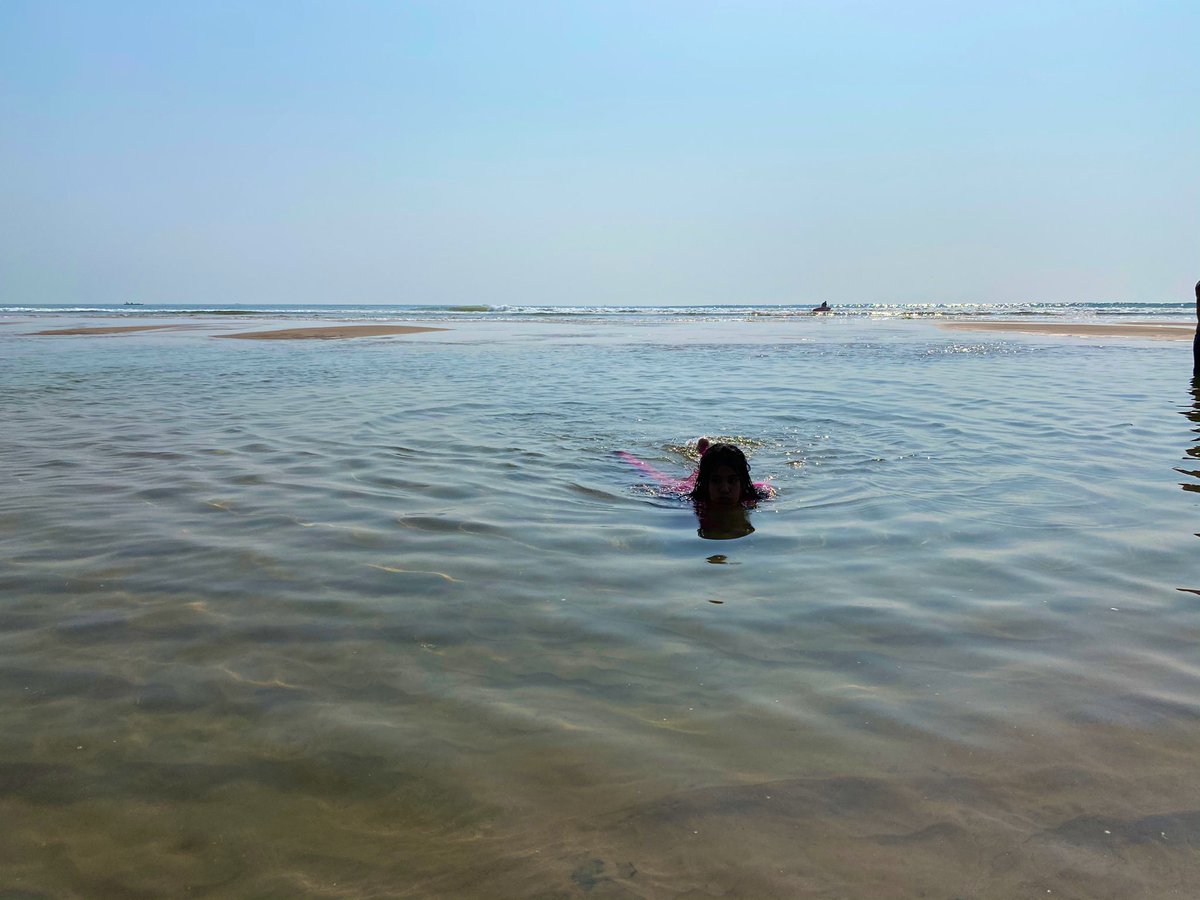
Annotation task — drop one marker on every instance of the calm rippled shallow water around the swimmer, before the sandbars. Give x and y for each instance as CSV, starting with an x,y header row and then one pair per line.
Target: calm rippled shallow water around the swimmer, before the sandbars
x,y
389,617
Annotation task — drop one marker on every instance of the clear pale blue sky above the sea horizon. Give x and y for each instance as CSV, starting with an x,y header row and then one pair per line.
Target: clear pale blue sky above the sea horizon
x,y
609,153
